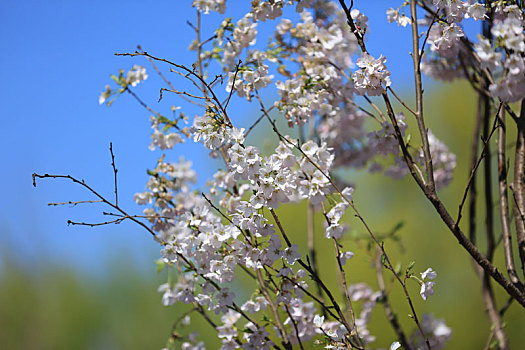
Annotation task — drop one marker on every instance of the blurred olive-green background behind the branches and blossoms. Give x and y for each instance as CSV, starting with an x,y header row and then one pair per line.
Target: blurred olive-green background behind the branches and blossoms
x,y
53,307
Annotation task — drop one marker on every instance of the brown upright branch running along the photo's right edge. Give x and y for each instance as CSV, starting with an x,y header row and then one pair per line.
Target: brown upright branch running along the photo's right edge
x,y
519,185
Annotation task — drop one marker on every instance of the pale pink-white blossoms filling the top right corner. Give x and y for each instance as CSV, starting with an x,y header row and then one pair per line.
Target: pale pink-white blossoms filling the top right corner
x,y
498,56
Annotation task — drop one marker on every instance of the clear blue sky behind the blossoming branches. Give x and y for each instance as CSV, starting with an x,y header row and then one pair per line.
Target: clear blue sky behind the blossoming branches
x,y
57,58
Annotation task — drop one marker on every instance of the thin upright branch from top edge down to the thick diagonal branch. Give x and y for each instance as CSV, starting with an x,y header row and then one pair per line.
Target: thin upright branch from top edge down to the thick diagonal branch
x,y
419,99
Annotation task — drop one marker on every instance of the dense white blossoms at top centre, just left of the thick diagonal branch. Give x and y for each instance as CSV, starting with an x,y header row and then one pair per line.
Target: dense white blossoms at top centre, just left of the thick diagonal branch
x,y
325,48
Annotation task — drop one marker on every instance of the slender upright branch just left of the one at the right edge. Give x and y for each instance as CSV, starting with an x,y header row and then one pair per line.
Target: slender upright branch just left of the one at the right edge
x,y
503,200
